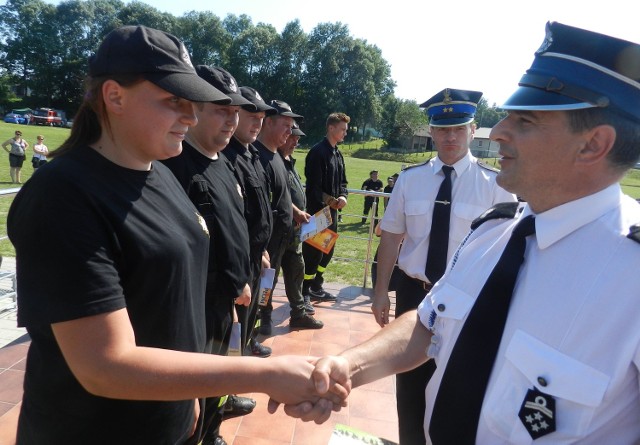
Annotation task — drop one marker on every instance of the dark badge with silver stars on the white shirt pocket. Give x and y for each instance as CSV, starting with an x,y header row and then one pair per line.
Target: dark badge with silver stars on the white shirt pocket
x,y
538,413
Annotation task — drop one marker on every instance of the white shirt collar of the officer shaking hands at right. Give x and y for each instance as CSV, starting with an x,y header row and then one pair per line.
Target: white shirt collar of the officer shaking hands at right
x,y
558,222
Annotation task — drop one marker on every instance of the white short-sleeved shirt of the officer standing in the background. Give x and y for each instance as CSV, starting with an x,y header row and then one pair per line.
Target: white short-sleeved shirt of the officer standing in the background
x,y
410,207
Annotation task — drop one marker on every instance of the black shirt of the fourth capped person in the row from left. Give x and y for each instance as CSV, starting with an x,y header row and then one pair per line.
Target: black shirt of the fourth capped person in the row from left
x,y
280,196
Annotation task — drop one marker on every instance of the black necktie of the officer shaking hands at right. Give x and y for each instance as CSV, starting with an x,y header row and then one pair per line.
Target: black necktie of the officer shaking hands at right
x,y
457,407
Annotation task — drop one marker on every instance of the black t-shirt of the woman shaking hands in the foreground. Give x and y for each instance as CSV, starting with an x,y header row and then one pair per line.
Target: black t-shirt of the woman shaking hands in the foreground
x,y
92,237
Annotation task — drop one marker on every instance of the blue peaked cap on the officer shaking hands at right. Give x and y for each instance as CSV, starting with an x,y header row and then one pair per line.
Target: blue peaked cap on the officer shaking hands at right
x,y
575,69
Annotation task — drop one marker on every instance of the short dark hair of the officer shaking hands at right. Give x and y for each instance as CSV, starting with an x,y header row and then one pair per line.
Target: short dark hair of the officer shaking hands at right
x,y
626,148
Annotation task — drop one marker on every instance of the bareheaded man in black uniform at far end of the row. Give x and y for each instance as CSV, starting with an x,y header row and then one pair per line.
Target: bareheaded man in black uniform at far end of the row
x,y
326,185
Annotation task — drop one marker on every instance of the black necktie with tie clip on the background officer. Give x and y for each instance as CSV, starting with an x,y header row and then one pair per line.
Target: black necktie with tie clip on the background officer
x,y
439,237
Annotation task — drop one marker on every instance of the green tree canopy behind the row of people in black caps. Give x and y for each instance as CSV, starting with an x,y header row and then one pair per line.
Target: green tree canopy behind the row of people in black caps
x,y
44,50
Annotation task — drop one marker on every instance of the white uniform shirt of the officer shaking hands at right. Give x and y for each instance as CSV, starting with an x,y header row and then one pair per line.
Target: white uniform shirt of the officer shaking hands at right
x,y
573,329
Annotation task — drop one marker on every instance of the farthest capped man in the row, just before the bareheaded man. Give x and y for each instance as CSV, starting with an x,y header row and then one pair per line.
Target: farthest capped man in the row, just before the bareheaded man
x,y
274,133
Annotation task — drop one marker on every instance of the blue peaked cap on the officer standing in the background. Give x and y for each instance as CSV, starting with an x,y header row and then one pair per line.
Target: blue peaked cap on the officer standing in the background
x,y
451,107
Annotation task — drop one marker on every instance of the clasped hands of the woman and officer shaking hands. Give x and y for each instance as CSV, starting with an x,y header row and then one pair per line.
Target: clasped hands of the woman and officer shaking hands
x,y
310,388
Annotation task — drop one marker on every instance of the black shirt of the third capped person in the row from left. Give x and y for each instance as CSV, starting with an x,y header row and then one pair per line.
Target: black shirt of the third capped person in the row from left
x,y
255,184
